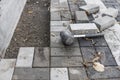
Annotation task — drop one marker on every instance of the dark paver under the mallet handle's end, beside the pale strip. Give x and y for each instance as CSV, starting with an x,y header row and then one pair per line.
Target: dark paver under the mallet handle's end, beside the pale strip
x,y
100,41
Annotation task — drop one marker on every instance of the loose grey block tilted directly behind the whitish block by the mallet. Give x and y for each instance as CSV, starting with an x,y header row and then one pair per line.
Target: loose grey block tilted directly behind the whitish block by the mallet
x,y
81,17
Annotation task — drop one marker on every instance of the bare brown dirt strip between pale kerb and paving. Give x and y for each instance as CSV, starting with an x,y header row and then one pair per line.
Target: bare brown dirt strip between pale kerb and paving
x,y
33,29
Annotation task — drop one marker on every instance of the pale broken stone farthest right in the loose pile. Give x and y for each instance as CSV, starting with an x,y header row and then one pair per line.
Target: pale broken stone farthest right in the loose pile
x,y
112,12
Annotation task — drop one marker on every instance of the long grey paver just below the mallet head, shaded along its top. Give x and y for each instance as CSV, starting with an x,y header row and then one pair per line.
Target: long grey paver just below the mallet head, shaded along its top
x,y
65,52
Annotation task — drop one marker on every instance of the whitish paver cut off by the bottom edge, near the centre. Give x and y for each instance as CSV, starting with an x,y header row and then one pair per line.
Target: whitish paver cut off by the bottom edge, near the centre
x,y
59,74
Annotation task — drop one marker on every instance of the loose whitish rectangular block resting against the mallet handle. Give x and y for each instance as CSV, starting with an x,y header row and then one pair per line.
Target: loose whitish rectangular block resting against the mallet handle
x,y
83,28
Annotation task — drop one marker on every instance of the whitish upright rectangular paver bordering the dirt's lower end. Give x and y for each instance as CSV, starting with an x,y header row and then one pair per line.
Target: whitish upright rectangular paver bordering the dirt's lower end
x,y
25,57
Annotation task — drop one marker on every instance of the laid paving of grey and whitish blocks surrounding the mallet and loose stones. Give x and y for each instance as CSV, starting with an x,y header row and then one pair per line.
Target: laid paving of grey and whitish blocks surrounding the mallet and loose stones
x,y
59,62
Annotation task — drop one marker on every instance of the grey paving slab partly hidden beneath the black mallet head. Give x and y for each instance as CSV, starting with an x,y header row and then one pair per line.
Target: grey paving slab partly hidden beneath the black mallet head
x,y
56,41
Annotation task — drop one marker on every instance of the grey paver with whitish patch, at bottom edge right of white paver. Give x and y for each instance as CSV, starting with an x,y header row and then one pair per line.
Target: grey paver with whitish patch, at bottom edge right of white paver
x,y
77,74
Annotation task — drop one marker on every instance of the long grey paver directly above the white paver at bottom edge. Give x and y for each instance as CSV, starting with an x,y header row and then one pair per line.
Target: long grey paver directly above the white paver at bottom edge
x,y
66,61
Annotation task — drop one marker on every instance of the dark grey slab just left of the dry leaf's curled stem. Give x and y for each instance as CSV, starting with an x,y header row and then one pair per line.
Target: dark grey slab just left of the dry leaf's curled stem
x,y
88,54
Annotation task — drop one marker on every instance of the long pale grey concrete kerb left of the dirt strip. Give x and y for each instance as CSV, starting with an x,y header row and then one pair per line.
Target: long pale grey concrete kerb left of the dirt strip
x,y
10,15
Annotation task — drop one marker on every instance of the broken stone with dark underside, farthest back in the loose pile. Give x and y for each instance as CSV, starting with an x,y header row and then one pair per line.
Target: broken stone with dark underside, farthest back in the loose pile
x,y
90,8
